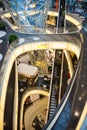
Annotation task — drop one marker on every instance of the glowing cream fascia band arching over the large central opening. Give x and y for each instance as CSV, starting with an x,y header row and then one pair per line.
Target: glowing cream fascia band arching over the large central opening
x,y
15,52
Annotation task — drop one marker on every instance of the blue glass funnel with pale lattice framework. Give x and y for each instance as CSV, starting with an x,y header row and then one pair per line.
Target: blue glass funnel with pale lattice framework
x,y
28,13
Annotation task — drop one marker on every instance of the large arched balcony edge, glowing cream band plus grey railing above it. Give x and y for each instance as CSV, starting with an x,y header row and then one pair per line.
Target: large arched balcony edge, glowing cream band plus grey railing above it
x,y
16,49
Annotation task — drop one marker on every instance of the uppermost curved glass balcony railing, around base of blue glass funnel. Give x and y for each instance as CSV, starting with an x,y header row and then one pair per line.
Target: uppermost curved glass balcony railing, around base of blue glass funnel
x,y
73,24
